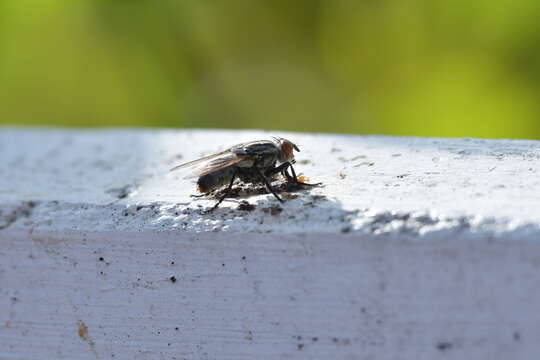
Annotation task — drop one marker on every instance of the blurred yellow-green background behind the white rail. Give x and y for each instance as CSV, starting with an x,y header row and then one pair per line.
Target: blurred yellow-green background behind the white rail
x,y
417,67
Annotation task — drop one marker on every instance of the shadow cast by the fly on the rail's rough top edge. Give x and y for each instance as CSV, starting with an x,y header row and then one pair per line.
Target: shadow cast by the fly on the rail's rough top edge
x,y
302,210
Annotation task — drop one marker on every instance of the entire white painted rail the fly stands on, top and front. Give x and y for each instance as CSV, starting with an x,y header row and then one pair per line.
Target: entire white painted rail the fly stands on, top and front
x,y
404,254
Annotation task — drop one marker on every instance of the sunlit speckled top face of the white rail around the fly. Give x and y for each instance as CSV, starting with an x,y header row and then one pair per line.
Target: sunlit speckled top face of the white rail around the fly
x,y
105,180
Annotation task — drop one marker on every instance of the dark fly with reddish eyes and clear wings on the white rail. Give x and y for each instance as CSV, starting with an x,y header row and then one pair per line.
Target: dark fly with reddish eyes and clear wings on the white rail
x,y
252,162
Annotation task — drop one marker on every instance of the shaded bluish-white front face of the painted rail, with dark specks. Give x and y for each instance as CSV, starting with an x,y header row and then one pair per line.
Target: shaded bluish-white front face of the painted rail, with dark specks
x,y
258,296
